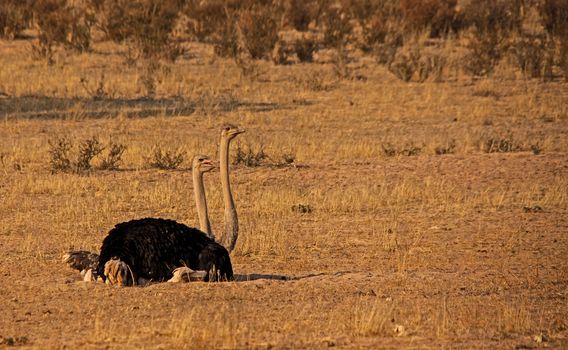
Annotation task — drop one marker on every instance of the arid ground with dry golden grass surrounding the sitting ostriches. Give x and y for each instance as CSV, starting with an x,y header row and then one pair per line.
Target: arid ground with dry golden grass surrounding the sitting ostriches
x,y
406,215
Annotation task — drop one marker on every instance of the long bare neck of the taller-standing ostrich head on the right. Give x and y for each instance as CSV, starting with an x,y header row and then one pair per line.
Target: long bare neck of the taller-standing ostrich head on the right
x,y
231,222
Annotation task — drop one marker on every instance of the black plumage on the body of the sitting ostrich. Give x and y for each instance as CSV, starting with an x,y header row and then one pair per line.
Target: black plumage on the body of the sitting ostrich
x,y
153,248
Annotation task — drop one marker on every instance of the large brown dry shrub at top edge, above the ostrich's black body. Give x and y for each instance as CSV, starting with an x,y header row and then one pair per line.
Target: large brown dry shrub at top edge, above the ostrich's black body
x,y
145,24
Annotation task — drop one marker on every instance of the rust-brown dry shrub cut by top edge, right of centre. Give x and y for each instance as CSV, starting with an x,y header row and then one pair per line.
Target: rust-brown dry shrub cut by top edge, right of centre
x,y
438,15
